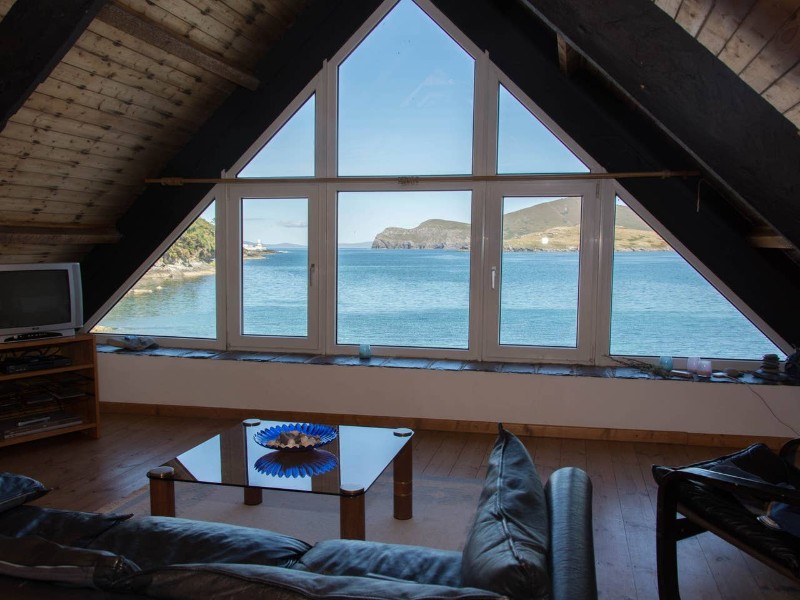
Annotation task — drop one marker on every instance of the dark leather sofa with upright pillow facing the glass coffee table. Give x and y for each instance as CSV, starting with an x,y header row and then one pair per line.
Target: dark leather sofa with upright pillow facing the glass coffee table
x,y
527,541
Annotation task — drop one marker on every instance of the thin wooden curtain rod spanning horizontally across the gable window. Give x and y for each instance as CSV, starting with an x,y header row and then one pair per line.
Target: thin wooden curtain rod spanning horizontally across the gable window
x,y
175,181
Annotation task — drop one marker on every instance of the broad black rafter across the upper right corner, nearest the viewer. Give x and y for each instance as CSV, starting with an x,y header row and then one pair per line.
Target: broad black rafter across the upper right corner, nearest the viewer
x,y
750,148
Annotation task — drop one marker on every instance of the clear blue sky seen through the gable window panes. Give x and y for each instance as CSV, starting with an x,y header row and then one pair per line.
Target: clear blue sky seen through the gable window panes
x,y
405,108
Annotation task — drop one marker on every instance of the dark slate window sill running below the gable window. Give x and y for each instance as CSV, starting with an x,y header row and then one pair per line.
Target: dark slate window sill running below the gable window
x,y
621,372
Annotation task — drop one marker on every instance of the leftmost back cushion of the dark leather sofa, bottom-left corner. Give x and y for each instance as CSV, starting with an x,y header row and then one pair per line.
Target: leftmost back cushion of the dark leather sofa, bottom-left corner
x,y
41,560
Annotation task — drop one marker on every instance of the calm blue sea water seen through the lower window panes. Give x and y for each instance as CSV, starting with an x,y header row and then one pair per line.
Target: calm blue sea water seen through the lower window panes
x,y
661,306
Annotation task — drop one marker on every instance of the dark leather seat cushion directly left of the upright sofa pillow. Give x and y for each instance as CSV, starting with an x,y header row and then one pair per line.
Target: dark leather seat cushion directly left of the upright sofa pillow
x,y
391,561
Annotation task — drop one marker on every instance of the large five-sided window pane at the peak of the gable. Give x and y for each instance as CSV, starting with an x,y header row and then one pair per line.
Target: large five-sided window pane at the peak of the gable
x,y
405,100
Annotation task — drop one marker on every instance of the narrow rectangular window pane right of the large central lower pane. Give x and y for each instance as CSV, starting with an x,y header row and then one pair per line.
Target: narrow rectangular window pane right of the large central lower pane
x,y
540,269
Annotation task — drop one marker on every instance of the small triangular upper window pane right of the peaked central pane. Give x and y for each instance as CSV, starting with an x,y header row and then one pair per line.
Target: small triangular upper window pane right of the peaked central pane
x,y
525,145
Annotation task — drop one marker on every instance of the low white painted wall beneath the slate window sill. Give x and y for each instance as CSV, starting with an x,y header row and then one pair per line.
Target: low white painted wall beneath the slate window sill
x,y
695,407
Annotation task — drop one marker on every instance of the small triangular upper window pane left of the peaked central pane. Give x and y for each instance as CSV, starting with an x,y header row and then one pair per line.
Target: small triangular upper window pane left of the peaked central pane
x,y
290,152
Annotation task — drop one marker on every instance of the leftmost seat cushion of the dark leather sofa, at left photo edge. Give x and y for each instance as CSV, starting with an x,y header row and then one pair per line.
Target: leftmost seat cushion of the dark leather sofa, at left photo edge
x,y
70,528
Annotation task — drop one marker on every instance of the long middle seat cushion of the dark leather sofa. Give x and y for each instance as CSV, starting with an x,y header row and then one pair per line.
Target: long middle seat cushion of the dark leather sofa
x,y
153,542
